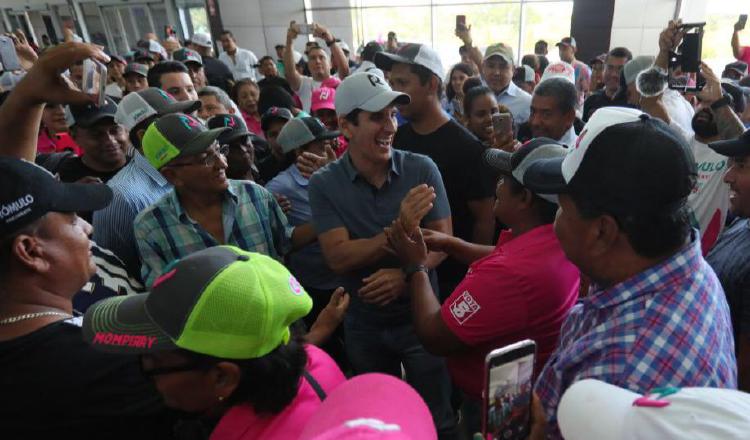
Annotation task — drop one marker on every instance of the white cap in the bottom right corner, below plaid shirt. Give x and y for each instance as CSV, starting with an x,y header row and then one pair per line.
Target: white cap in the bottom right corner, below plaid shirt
x,y
592,409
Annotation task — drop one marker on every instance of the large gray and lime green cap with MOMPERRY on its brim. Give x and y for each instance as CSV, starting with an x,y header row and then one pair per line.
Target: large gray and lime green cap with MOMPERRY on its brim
x,y
221,301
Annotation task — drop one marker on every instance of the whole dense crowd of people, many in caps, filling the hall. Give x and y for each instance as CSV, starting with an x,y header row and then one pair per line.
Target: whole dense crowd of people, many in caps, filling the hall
x,y
328,245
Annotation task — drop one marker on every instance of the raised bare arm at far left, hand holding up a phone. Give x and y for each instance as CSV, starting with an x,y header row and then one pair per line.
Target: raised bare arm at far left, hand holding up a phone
x,y
21,113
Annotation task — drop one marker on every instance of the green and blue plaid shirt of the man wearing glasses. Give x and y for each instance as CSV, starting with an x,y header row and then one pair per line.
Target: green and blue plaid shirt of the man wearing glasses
x,y
252,221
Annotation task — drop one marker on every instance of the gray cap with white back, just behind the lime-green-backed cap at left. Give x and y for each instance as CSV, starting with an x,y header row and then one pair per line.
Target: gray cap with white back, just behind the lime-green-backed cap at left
x,y
136,107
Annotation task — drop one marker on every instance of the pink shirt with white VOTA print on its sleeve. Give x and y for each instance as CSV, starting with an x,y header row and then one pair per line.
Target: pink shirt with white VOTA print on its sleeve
x,y
522,290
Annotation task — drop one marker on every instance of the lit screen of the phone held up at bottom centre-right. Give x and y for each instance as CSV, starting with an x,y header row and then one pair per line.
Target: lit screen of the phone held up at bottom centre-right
x,y
509,398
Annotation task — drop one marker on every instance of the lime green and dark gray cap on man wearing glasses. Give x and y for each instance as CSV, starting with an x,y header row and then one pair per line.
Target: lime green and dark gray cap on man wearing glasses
x,y
176,135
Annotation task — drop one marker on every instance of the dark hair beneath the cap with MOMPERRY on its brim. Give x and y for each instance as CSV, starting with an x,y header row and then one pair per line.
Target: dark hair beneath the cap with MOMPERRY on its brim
x,y
268,383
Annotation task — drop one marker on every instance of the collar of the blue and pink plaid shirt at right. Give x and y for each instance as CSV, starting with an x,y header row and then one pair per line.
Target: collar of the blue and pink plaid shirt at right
x,y
656,278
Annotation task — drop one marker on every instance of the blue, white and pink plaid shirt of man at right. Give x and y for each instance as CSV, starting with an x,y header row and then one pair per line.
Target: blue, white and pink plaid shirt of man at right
x,y
666,326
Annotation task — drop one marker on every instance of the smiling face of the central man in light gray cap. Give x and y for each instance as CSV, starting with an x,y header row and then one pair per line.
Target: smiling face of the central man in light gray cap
x,y
371,138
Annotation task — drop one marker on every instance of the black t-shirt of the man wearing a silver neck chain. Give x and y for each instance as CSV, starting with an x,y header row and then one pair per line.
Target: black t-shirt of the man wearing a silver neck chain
x,y
54,385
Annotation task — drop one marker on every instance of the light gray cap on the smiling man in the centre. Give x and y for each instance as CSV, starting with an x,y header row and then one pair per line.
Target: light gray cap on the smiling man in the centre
x,y
366,91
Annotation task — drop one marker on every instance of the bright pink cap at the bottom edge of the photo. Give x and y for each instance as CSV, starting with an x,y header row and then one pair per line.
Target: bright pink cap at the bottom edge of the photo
x,y
372,406
